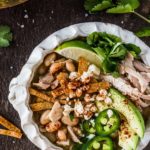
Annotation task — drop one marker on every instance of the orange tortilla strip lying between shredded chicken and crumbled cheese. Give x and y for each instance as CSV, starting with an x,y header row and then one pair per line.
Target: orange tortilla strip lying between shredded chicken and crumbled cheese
x,y
95,87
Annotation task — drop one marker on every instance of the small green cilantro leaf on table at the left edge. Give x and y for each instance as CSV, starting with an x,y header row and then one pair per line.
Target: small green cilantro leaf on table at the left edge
x,y
5,36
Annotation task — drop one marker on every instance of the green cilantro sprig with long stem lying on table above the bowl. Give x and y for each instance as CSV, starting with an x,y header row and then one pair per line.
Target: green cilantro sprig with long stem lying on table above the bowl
x,y
118,7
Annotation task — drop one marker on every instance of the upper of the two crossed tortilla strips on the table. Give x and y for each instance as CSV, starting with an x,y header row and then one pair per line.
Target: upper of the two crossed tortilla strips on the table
x,y
8,125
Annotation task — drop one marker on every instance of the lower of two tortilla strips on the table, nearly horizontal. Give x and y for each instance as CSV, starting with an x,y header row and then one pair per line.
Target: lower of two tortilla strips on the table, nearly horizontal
x,y
11,133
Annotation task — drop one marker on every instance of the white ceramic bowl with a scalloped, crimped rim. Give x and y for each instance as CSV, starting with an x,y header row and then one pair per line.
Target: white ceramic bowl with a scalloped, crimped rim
x,y
19,95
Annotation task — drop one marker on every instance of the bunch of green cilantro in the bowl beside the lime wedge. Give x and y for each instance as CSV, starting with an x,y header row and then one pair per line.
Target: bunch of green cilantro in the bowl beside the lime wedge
x,y
111,50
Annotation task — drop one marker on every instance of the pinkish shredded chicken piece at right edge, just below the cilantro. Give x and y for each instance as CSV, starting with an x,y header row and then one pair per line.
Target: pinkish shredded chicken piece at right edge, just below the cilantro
x,y
141,66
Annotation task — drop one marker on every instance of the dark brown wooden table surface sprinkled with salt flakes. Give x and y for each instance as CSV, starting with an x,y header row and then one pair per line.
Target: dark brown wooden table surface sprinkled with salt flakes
x,y
31,23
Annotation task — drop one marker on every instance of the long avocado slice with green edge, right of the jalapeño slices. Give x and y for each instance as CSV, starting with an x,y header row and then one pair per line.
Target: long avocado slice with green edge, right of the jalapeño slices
x,y
131,113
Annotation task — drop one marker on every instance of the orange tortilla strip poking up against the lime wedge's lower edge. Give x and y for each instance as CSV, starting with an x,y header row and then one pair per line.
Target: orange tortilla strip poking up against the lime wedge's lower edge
x,y
83,65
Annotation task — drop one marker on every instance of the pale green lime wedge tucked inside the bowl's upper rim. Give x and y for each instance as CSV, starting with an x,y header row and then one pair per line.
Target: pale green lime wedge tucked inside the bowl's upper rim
x,y
74,51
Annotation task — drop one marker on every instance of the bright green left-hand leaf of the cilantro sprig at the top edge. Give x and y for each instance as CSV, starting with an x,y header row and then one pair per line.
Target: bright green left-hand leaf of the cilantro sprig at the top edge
x,y
101,6
